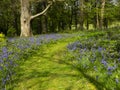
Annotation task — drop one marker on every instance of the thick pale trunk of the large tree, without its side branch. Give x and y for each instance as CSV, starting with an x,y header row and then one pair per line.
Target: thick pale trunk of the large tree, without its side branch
x,y
25,18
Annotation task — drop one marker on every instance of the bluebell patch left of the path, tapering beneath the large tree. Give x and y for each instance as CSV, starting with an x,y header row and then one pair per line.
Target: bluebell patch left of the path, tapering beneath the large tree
x,y
14,49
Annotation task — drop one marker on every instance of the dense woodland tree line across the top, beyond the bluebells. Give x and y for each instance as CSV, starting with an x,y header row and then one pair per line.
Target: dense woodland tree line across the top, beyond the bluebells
x,y
61,15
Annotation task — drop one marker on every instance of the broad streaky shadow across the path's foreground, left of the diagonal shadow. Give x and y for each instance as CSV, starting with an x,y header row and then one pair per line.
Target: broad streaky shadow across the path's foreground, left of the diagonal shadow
x,y
43,78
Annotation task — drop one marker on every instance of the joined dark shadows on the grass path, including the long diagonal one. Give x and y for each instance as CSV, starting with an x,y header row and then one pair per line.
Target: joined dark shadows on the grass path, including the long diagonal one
x,y
48,76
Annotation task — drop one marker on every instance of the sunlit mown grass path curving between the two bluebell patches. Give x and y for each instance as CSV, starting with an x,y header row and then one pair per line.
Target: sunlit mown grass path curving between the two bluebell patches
x,y
46,70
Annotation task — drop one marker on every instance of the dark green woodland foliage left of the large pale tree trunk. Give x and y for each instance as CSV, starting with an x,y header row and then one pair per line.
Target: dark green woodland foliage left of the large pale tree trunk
x,y
9,16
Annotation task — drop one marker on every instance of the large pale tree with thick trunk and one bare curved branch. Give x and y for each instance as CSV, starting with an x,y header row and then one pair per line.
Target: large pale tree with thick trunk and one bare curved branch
x,y
26,17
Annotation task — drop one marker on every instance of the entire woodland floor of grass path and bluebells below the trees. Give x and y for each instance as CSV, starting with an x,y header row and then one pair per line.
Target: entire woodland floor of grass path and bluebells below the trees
x,y
94,54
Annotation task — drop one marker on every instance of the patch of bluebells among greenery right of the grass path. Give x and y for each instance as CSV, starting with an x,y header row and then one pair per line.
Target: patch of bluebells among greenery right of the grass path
x,y
96,59
